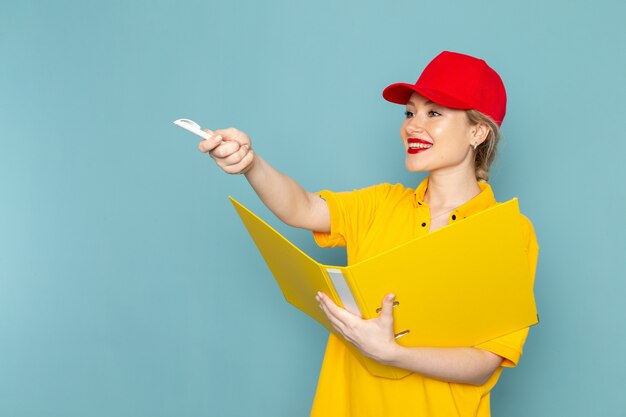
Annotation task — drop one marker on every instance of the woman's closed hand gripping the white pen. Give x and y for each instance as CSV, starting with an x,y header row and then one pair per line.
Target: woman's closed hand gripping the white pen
x,y
231,149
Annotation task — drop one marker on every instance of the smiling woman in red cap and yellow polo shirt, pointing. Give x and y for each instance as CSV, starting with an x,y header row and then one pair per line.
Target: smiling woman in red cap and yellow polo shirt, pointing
x,y
451,129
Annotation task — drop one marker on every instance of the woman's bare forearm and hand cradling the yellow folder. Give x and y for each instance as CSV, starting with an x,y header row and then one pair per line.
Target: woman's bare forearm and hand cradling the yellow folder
x,y
375,338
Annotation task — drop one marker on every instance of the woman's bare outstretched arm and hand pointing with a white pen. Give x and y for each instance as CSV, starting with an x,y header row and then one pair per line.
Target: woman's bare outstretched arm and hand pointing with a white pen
x,y
281,194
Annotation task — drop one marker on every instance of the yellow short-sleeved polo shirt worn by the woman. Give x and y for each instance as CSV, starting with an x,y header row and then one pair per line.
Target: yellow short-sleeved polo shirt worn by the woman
x,y
370,221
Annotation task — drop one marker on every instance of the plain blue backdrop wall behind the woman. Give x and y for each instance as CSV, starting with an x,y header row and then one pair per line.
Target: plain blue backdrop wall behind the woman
x,y
128,286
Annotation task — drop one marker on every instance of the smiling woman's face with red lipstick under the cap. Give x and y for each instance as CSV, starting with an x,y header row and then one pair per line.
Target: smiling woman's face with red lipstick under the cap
x,y
437,138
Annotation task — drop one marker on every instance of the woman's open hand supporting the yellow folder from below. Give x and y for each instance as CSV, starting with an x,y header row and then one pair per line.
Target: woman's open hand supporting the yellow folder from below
x,y
374,337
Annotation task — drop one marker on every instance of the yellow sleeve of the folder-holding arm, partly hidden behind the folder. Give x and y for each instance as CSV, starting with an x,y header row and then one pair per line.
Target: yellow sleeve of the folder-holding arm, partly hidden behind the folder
x,y
510,346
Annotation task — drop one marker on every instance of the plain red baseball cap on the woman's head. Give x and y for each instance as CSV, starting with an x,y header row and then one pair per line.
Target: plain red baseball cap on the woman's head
x,y
457,81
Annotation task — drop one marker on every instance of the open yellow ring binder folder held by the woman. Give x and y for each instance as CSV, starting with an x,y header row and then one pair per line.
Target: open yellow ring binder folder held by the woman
x,y
472,284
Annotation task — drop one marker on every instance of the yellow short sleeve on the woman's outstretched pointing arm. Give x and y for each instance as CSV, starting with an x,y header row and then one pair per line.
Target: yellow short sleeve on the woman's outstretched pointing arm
x,y
351,213
